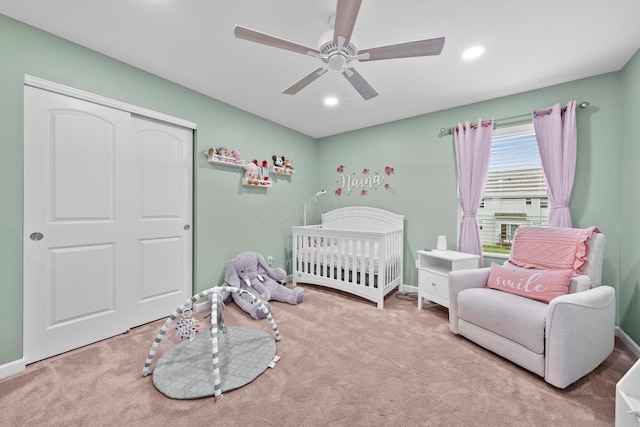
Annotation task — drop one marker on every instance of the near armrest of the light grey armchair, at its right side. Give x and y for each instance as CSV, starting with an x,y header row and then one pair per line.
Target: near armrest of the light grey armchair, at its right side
x,y
580,334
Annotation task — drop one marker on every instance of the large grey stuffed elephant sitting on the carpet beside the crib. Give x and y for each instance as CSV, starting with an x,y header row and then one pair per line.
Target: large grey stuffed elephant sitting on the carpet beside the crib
x,y
250,271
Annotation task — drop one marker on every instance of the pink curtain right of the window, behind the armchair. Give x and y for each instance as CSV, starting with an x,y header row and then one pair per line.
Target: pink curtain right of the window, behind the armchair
x,y
557,141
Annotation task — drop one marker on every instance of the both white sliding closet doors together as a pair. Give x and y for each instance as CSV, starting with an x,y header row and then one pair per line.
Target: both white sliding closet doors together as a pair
x,y
100,254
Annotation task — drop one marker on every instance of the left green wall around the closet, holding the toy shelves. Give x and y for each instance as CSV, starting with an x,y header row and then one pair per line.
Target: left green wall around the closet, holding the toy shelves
x,y
229,218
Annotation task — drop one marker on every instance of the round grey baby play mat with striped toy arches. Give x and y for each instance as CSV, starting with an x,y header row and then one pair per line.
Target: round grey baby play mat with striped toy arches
x,y
208,364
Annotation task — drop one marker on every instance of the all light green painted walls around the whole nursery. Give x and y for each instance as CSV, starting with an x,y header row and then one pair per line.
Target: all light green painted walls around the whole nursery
x,y
230,218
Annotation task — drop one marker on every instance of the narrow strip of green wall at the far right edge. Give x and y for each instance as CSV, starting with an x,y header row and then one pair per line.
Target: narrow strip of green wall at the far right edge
x,y
629,291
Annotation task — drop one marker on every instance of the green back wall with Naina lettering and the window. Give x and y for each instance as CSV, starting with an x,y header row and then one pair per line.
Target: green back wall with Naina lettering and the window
x,y
424,163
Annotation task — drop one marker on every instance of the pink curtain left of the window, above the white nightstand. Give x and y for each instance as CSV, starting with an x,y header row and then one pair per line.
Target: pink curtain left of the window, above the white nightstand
x,y
473,148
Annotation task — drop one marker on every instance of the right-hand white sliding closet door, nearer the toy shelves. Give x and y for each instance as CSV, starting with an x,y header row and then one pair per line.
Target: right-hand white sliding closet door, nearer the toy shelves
x,y
163,218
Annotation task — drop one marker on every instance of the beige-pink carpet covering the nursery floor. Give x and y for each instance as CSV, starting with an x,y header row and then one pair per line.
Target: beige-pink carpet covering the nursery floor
x,y
344,363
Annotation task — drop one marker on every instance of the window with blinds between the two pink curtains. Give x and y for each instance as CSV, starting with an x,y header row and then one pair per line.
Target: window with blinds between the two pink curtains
x,y
515,193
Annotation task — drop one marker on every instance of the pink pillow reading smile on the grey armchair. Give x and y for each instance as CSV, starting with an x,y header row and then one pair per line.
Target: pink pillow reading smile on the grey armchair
x,y
540,285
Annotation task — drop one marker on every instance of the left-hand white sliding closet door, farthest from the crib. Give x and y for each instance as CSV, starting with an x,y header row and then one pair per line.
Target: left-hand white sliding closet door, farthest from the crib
x,y
72,209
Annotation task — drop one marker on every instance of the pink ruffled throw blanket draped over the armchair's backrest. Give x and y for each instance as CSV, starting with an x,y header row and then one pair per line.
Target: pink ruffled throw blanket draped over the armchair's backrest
x,y
552,248
